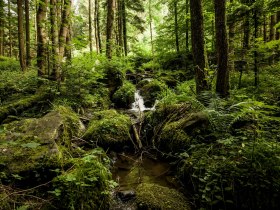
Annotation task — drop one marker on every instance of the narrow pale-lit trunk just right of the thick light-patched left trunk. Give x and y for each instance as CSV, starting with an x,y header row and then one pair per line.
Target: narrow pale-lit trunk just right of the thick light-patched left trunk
x,y
54,40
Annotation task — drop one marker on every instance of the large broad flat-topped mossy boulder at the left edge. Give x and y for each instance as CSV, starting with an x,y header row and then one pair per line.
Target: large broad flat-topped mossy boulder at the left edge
x,y
33,145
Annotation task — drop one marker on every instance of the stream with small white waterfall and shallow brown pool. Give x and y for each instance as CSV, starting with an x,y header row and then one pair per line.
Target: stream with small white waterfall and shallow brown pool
x,y
130,170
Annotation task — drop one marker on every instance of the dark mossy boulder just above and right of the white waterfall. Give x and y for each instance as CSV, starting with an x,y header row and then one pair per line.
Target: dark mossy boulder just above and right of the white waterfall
x,y
151,90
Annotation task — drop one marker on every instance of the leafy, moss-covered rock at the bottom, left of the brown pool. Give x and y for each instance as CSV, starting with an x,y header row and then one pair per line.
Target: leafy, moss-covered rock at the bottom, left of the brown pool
x,y
87,185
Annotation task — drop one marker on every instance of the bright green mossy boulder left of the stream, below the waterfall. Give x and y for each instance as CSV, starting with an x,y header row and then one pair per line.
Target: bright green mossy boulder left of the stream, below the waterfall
x,y
109,129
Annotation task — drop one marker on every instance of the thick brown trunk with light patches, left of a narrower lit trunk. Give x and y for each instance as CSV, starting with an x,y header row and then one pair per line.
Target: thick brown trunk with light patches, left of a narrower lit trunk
x,y
42,38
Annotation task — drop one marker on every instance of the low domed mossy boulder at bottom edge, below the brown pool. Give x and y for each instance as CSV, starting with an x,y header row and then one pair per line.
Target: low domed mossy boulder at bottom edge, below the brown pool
x,y
156,197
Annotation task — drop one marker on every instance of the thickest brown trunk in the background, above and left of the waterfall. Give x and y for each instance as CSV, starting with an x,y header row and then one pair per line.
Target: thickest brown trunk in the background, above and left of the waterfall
x,y
109,28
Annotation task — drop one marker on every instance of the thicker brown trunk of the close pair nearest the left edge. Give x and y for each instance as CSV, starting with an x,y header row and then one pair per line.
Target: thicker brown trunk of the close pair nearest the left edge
x,y
21,36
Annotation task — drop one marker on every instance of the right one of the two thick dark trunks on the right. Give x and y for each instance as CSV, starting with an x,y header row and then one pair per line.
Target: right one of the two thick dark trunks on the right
x,y
222,84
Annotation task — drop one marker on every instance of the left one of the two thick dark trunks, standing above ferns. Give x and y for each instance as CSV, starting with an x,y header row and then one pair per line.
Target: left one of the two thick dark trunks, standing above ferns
x,y
198,48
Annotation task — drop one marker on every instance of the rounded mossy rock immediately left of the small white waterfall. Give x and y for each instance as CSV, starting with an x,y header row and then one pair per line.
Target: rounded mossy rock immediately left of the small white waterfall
x,y
124,96
